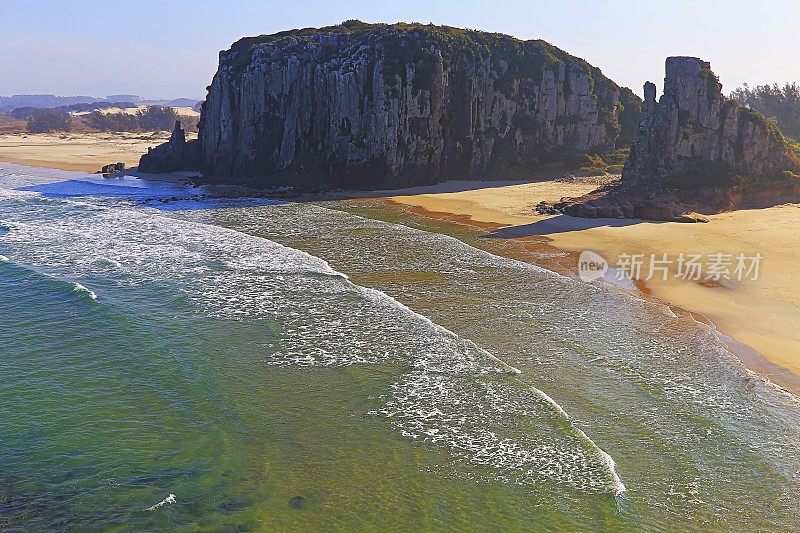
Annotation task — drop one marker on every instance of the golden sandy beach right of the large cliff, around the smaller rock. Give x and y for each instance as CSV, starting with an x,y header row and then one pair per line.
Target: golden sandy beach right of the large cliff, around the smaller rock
x,y
762,313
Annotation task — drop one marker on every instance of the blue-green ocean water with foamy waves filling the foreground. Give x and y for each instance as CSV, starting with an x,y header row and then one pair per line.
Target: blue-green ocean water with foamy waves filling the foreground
x,y
173,361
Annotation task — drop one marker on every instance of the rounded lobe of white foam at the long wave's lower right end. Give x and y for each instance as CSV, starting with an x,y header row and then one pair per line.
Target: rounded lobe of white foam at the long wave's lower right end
x,y
475,419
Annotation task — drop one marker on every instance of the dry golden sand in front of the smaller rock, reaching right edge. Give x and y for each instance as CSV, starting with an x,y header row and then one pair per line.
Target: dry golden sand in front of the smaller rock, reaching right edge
x,y
764,313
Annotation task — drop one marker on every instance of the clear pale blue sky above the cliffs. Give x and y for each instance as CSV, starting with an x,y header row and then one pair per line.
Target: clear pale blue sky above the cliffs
x,y
168,48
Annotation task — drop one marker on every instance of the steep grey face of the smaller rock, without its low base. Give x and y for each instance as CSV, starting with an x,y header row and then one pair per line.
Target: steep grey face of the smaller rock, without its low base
x,y
696,136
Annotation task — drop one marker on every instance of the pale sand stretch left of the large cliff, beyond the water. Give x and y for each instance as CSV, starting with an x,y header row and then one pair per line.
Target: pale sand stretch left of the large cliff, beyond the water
x,y
77,151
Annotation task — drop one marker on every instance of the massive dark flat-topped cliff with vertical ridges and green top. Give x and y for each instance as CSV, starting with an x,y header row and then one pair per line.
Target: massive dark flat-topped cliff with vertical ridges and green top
x,y
392,105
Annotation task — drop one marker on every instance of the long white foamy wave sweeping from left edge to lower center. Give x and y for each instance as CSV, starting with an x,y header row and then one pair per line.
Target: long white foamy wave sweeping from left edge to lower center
x,y
454,394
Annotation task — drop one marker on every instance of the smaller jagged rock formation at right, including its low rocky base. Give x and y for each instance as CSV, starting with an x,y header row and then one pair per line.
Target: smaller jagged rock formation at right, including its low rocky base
x,y
695,151
